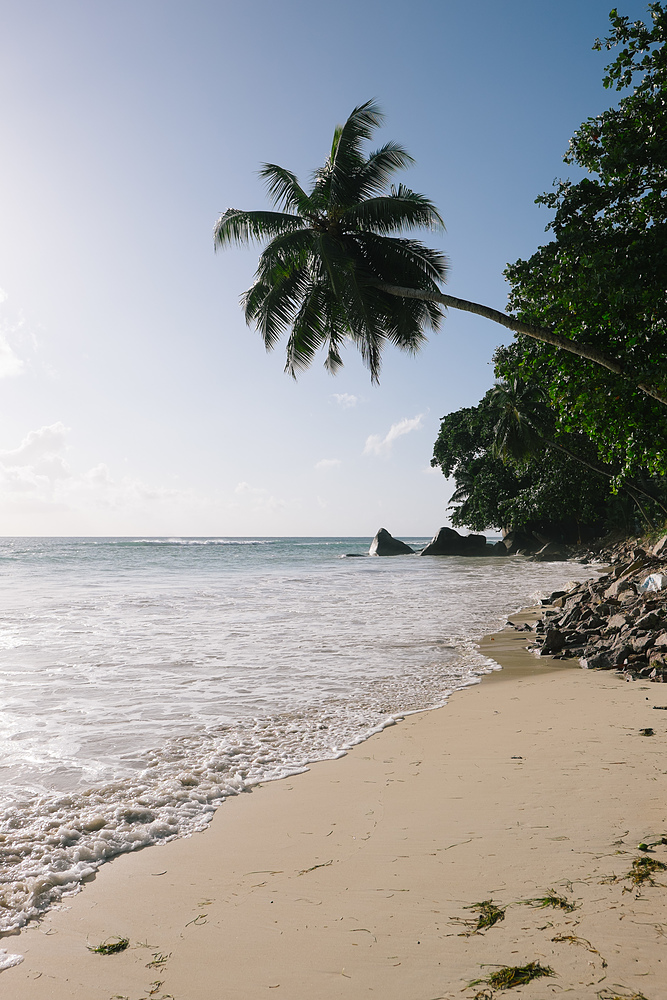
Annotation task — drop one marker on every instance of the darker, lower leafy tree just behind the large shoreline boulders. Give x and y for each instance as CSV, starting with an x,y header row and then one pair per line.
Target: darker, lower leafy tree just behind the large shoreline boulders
x,y
510,473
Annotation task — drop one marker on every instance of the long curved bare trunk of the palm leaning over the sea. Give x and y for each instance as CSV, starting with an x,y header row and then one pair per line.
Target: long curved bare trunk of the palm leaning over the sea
x,y
543,334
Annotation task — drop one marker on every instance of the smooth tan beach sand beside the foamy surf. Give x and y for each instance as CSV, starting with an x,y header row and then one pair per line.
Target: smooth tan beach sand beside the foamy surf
x,y
348,880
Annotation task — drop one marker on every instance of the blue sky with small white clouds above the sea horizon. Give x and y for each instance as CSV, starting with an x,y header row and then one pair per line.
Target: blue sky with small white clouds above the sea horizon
x,y
133,398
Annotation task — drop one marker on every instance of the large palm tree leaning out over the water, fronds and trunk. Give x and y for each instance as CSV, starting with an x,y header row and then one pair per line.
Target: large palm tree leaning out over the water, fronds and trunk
x,y
334,268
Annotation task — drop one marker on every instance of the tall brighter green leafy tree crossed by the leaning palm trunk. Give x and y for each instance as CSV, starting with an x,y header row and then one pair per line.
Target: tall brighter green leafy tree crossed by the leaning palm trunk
x,y
603,277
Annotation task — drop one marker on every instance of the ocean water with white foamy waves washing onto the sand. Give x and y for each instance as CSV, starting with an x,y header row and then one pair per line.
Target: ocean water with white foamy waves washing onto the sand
x,y
146,680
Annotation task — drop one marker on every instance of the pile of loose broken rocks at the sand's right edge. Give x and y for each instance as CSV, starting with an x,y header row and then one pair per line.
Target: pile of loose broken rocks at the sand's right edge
x,y
615,622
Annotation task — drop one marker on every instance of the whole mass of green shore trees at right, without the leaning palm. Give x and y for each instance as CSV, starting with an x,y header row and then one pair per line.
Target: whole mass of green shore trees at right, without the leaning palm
x,y
559,441
